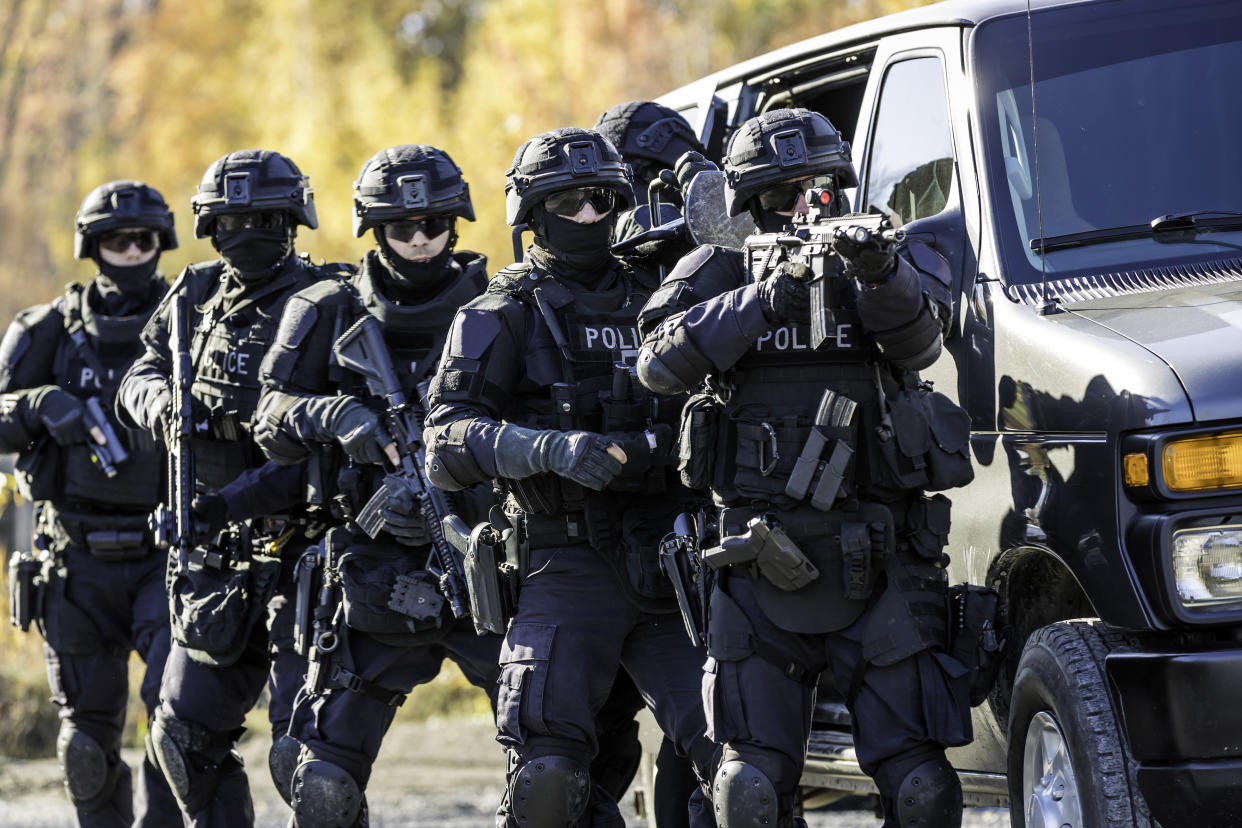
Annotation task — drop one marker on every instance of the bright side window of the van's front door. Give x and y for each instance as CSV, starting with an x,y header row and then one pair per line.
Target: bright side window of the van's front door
x,y
911,171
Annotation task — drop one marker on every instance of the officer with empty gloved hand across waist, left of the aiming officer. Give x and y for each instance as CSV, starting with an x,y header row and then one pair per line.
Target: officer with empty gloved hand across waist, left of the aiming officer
x,y
535,394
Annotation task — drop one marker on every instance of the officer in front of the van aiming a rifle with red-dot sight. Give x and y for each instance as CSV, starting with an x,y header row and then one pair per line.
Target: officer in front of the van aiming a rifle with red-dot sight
x,y
863,589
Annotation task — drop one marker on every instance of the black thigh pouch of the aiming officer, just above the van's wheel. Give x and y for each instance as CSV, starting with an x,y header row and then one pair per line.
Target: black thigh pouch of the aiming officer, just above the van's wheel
x,y
977,636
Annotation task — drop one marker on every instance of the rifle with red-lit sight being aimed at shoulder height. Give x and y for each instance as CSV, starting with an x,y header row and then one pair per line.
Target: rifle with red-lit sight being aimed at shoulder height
x,y
813,240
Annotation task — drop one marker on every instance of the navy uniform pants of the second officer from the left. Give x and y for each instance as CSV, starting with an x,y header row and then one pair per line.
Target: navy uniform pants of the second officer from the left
x,y
219,698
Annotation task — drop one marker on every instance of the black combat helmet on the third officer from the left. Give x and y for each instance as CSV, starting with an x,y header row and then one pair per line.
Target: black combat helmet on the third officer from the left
x,y
409,182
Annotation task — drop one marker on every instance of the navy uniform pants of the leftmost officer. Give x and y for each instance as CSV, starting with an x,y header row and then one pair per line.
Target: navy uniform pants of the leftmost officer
x,y
127,609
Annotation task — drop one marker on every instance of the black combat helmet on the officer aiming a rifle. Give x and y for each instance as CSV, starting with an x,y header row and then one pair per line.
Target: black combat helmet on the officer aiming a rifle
x,y
782,146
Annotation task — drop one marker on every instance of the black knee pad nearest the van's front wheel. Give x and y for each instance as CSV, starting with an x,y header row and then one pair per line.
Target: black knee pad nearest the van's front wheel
x,y
921,791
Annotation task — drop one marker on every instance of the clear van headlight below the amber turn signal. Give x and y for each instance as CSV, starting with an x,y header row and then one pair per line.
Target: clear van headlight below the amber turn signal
x,y
1208,565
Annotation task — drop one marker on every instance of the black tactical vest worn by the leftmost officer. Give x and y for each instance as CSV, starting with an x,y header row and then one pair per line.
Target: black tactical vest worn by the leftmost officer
x,y
90,361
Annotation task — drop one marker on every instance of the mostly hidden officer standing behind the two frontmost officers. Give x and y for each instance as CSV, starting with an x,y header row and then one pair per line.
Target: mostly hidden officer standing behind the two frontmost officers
x,y
651,138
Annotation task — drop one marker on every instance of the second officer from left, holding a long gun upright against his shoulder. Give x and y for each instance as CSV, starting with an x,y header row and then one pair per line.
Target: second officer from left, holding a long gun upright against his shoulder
x,y
249,204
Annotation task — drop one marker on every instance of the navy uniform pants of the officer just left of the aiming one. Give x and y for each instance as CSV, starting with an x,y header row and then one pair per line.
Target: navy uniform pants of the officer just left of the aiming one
x,y
572,631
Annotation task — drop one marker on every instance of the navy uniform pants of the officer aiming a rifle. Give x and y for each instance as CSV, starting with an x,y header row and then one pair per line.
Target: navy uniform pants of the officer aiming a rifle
x,y
756,709
